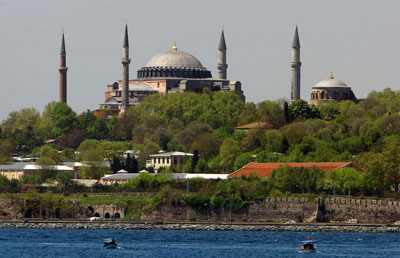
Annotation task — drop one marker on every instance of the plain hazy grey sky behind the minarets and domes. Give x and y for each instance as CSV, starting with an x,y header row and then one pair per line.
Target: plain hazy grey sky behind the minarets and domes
x,y
357,40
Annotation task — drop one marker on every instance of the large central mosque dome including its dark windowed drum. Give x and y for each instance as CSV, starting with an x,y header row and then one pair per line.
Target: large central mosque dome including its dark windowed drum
x,y
174,63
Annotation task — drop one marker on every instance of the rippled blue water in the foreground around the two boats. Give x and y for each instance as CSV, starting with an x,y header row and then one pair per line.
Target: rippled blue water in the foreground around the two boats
x,y
192,244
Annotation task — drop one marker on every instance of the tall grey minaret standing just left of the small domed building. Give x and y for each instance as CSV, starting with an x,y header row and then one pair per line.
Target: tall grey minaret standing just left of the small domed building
x,y
295,67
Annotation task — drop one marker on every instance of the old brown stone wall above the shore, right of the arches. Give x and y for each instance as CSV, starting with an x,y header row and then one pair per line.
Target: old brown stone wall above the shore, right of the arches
x,y
280,210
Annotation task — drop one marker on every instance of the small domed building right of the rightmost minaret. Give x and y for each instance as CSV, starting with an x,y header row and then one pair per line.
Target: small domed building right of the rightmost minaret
x,y
331,90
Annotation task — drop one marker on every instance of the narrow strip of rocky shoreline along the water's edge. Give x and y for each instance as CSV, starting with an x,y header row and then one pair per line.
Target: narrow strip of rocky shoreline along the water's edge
x,y
112,225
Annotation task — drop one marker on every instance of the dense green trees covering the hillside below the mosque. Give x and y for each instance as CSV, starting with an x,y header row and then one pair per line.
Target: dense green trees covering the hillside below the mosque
x,y
367,133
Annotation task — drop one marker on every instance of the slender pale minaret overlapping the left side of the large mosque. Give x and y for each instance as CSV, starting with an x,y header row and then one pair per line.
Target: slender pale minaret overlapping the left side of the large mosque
x,y
125,72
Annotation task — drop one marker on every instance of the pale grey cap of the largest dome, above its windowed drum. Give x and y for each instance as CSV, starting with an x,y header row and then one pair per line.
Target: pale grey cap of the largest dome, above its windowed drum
x,y
174,58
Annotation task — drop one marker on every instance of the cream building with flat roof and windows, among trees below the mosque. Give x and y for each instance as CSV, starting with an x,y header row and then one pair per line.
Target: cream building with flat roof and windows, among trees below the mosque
x,y
174,159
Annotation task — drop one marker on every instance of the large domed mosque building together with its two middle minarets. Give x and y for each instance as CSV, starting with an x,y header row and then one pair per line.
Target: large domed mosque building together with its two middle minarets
x,y
168,72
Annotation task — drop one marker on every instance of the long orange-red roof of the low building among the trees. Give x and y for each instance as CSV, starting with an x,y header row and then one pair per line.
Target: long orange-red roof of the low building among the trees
x,y
266,169
